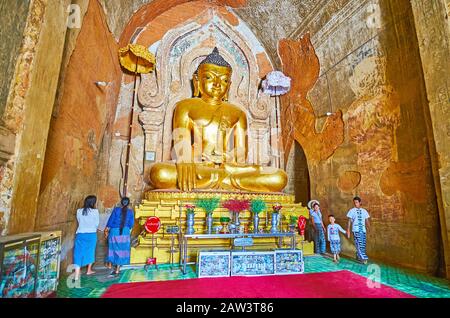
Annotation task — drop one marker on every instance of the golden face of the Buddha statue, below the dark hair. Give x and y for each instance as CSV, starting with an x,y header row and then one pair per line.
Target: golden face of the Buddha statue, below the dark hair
x,y
214,81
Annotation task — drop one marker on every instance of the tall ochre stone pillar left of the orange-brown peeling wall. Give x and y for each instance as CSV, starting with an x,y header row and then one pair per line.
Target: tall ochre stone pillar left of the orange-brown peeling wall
x,y
36,80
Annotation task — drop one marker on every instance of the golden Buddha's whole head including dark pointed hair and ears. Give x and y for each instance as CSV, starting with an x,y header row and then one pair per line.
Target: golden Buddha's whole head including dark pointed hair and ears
x,y
212,79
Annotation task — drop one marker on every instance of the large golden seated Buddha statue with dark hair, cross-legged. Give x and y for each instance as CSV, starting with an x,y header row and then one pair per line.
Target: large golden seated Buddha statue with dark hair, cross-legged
x,y
204,129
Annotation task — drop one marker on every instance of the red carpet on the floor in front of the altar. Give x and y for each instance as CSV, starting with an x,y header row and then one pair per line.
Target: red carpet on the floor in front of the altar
x,y
341,284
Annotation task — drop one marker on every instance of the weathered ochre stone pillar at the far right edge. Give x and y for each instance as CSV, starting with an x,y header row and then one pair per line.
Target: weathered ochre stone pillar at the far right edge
x,y
433,32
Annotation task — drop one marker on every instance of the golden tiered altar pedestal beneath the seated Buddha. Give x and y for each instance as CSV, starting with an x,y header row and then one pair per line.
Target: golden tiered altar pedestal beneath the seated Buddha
x,y
169,206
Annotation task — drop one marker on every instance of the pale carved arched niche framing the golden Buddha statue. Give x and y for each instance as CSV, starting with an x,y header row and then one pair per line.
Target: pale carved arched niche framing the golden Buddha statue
x,y
179,49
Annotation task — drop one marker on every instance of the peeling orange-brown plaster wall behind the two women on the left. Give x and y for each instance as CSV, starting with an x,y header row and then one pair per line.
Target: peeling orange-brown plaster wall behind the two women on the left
x,y
80,132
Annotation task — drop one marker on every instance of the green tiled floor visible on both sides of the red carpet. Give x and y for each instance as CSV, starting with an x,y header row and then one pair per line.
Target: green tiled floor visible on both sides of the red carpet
x,y
409,282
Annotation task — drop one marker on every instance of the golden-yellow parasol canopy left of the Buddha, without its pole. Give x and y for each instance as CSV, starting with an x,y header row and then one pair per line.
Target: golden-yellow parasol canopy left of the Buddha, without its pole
x,y
137,59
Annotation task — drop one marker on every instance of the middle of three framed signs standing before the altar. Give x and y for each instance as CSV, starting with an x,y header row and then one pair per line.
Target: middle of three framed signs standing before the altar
x,y
252,263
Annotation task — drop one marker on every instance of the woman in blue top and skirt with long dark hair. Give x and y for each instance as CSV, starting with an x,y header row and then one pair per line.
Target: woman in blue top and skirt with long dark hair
x,y
118,231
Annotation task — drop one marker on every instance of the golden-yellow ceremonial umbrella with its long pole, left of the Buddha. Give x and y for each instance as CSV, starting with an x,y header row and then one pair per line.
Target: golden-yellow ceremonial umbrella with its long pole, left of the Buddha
x,y
137,59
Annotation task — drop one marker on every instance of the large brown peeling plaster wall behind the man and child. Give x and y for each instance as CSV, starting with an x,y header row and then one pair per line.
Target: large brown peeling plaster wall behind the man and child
x,y
370,70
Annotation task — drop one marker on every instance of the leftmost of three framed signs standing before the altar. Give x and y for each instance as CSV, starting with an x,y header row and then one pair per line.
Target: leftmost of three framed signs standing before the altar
x,y
213,264
